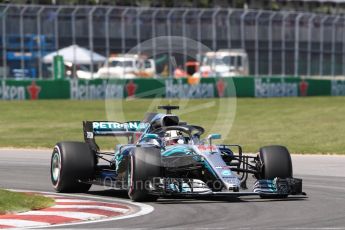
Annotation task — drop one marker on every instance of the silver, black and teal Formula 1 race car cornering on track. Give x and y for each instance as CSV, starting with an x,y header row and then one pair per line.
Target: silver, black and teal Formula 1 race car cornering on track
x,y
167,157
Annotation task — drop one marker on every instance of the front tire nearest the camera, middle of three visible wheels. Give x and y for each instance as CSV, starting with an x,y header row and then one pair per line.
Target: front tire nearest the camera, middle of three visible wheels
x,y
144,164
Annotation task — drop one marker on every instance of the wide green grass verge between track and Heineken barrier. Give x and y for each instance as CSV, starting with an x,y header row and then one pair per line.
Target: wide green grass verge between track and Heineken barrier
x,y
304,125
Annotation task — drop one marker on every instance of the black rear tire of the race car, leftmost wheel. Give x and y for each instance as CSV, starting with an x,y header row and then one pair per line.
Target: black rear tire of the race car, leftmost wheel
x,y
71,162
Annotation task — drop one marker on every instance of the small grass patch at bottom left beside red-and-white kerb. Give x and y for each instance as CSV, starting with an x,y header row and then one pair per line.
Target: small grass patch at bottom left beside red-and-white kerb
x,y
12,202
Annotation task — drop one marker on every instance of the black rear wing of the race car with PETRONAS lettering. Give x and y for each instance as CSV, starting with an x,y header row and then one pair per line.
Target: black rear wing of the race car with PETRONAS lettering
x,y
130,129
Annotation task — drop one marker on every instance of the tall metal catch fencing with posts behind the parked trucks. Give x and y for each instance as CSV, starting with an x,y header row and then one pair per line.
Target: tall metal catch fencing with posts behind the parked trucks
x,y
277,42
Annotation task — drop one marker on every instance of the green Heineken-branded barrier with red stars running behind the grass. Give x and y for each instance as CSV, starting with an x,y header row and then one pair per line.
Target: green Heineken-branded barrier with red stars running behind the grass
x,y
169,88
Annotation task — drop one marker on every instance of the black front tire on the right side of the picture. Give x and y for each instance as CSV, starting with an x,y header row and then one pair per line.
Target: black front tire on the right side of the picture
x,y
276,161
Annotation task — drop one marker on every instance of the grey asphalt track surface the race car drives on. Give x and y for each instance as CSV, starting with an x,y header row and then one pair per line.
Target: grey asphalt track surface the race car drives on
x,y
324,207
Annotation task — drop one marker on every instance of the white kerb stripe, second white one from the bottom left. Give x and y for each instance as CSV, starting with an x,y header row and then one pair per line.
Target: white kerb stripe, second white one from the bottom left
x,y
68,214
